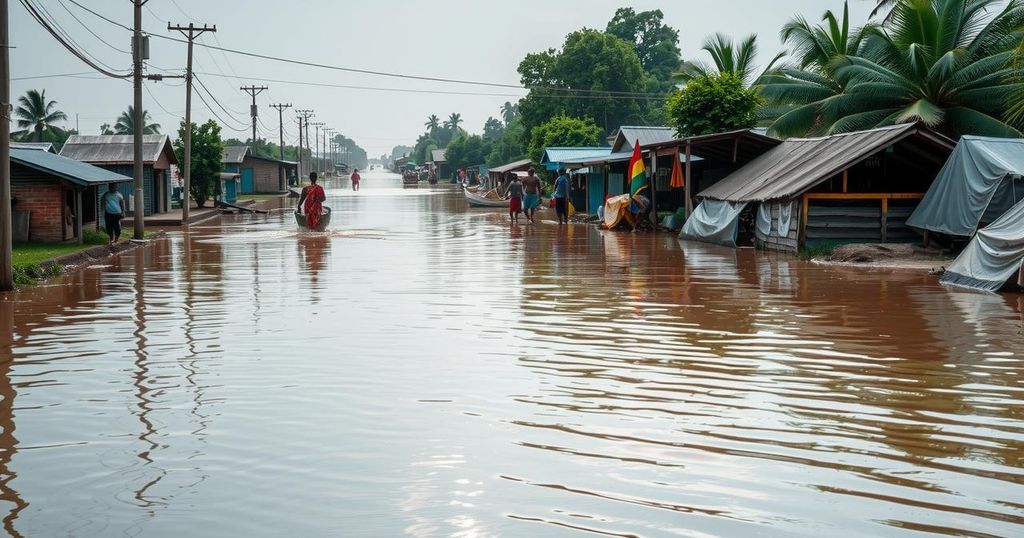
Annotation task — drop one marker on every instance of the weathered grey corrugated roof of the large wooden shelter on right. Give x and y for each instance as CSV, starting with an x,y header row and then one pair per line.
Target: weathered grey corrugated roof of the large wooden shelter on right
x,y
798,164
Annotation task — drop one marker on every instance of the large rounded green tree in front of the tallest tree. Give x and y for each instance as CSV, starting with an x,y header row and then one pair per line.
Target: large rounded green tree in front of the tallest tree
x,y
603,69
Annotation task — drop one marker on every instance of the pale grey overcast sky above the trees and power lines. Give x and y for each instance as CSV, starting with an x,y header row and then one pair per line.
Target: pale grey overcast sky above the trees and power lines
x,y
461,39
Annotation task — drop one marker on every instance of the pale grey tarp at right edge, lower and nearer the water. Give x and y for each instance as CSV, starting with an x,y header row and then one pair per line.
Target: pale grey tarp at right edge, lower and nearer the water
x,y
994,257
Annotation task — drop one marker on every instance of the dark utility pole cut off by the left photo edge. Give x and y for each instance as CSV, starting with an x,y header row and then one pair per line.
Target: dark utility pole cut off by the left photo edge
x,y
7,224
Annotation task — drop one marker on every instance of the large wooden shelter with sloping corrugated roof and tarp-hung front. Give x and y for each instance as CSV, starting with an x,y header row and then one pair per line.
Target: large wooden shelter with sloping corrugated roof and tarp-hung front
x,y
847,188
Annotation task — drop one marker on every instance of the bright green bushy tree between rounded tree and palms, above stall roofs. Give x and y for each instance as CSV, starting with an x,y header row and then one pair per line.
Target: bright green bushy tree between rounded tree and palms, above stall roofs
x,y
713,104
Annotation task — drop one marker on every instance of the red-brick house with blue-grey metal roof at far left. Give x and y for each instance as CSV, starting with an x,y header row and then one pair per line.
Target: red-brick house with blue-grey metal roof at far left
x,y
54,197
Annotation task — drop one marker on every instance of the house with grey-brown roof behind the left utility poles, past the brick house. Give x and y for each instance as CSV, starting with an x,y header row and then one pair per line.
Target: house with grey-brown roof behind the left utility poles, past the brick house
x,y
116,153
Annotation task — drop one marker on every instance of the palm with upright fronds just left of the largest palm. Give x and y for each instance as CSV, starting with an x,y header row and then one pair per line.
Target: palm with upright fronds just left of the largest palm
x,y
796,94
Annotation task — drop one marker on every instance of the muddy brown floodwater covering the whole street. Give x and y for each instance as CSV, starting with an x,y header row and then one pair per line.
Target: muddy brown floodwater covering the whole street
x,y
426,370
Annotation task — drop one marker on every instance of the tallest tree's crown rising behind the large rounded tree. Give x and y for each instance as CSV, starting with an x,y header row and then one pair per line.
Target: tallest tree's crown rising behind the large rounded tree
x,y
657,45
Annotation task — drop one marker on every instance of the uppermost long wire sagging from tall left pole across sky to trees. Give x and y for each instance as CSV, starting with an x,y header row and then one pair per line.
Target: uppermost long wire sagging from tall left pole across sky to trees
x,y
604,94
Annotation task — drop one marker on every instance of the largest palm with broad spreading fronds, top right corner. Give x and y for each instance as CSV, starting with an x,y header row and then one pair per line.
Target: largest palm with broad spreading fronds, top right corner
x,y
947,63
